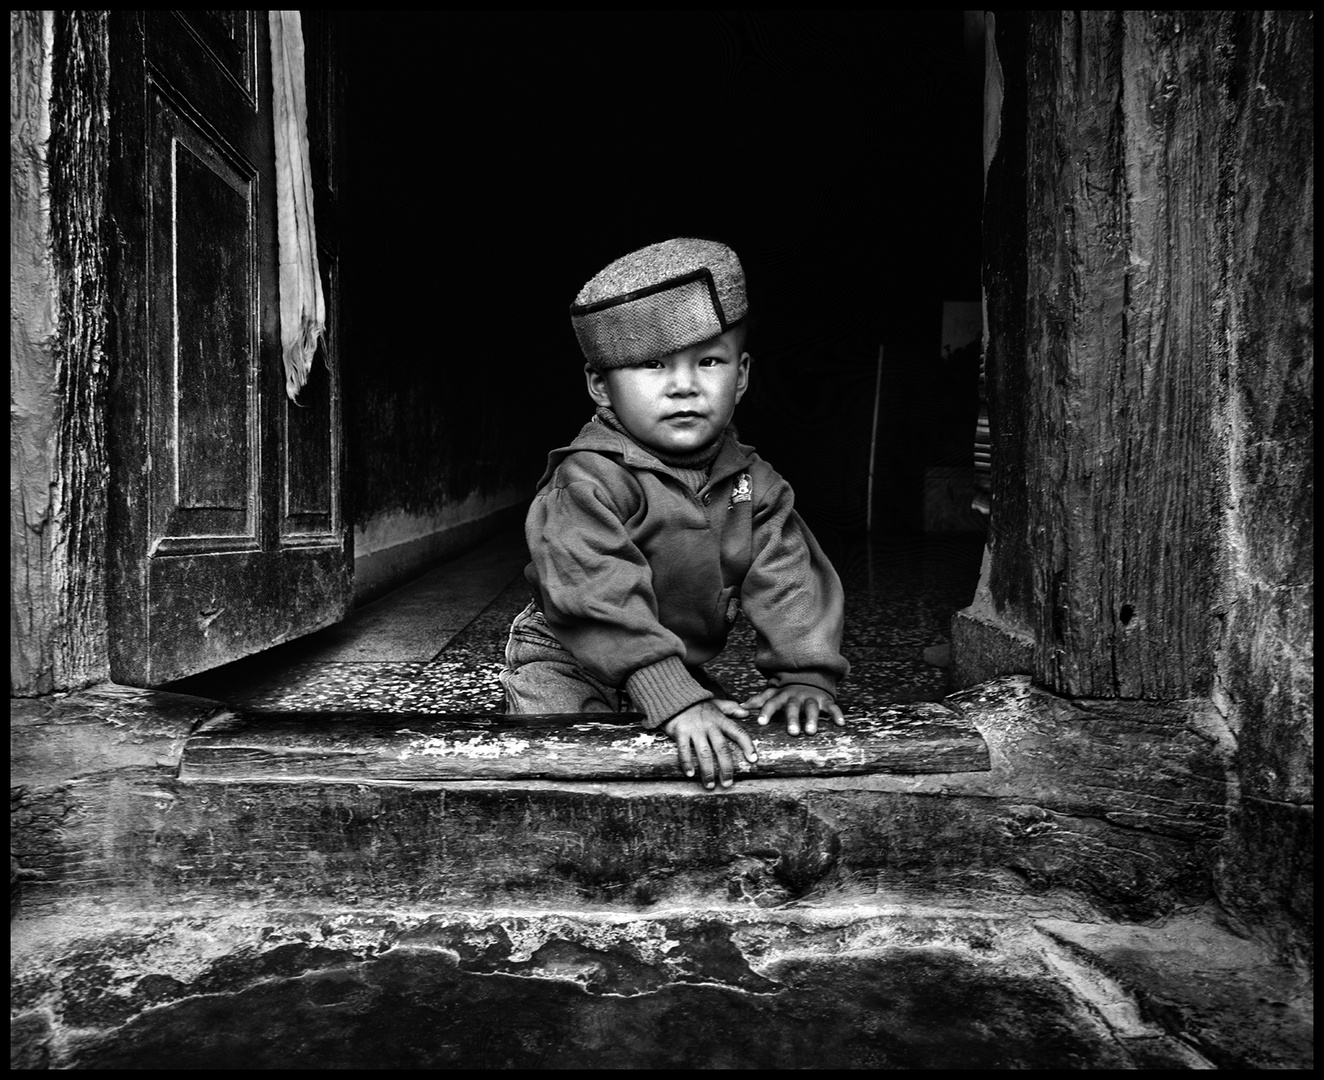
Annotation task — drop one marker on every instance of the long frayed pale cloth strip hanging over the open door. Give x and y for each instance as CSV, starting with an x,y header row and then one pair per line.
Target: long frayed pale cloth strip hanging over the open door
x,y
303,305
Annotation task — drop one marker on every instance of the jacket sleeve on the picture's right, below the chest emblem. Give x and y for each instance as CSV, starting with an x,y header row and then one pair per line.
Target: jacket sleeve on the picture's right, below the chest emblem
x,y
792,595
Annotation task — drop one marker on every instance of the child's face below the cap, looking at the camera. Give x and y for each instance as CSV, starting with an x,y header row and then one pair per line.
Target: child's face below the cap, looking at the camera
x,y
681,403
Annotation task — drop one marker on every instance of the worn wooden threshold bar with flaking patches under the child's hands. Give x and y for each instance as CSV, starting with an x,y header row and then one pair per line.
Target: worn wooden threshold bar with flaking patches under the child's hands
x,y
923,738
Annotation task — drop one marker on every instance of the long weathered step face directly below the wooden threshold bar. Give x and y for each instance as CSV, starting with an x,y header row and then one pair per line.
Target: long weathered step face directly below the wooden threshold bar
x,y
635,846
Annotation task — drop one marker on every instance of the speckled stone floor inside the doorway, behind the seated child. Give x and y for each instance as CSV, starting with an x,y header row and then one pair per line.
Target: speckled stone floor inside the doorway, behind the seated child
x,y
436,644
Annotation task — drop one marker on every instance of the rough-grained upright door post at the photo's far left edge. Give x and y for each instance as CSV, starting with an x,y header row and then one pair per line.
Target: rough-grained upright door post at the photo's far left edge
x,y
58,362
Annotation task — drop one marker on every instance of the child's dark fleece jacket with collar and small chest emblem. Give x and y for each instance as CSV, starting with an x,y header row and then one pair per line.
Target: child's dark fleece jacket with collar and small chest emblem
x,y
641,578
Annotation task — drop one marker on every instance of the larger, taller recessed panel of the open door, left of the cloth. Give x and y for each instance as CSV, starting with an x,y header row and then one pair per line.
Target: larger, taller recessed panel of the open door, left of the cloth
x,y
205,346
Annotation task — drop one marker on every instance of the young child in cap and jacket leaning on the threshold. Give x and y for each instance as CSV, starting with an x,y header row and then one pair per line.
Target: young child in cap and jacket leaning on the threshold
x,y
655,529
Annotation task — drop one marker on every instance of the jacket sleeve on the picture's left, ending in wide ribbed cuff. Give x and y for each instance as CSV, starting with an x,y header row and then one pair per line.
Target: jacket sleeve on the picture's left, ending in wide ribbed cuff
x,y
596,592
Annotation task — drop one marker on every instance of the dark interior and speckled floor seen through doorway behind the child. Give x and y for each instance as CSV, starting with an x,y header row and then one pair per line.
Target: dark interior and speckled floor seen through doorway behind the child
x,y
497,161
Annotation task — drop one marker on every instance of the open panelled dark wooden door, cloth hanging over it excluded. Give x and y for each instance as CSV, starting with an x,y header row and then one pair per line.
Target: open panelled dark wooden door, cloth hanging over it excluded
x,y
227,529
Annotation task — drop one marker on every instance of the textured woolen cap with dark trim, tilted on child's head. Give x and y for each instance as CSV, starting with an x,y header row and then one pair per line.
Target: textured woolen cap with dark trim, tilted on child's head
x,y
660,300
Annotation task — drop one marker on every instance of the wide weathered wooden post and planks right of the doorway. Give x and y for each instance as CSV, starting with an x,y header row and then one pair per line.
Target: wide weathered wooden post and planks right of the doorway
x,y
1159,366
